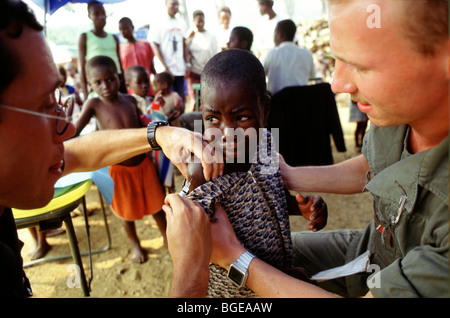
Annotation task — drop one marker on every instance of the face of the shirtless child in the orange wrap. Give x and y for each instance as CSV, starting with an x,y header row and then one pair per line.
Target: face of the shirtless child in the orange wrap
x,y
104,81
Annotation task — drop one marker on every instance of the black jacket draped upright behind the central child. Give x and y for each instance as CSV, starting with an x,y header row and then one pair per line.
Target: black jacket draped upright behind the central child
x,y
306,117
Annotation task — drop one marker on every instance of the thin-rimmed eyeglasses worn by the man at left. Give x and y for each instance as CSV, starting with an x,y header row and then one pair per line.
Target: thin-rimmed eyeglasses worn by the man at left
x,y
63,111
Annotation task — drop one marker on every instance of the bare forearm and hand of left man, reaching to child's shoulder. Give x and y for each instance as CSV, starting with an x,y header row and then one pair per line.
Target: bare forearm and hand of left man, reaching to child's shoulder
x,y
104,148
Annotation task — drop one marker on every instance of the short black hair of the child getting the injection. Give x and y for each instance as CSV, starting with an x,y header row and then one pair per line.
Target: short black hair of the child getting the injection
x,y
236,66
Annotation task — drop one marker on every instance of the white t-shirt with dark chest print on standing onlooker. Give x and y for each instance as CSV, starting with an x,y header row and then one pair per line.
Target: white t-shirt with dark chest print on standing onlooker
x,y
169,34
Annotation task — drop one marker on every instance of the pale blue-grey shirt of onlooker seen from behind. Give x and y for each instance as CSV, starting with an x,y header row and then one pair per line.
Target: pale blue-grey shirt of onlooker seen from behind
x,y
288,65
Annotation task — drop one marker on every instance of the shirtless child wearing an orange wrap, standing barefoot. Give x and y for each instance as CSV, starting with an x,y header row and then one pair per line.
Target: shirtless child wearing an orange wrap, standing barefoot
x,y
136,188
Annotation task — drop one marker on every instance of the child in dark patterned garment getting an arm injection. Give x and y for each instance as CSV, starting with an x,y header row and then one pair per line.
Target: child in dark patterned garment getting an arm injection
x,y
234,97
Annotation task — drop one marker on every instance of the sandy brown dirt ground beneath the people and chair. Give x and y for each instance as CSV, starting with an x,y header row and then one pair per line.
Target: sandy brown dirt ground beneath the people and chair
x,y
115,276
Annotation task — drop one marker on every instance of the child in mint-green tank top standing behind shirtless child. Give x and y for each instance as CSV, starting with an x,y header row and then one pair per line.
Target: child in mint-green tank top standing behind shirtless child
x,y
98,42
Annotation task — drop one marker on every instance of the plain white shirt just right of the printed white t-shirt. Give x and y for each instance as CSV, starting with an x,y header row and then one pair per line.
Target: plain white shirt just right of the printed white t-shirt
x,y
203,46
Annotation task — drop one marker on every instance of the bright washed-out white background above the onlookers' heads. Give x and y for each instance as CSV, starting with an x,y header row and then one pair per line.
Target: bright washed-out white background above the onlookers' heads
x,y
66,24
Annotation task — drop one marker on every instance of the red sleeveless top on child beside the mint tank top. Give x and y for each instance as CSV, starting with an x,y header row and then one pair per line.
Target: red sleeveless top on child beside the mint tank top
x,y
138,53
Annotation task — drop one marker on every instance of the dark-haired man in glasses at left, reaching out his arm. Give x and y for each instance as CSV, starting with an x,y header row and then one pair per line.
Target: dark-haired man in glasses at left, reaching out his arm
x,y
34,127
